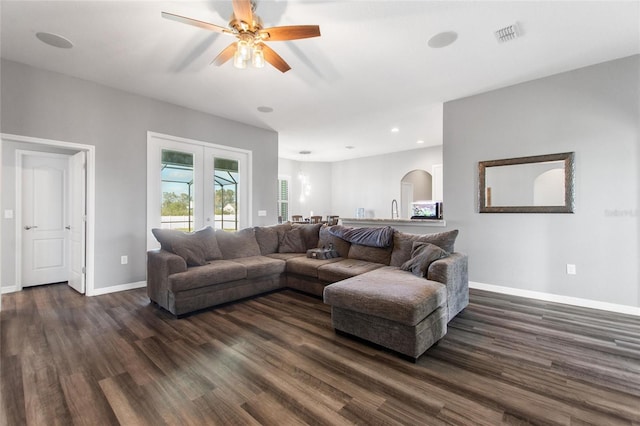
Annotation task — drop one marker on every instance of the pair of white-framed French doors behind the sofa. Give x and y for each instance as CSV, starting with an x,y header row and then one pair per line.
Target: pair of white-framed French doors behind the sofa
x,y
194,184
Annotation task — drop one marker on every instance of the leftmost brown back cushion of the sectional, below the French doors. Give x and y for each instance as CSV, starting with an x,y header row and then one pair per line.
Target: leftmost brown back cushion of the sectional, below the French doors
x,y
195,248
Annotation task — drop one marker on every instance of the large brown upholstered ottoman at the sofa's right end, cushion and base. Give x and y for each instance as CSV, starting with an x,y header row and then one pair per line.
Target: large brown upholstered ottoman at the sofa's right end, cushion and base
x,y
390,307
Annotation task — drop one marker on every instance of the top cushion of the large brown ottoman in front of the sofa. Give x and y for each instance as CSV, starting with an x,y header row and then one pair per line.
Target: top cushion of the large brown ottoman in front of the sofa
x,y
388,293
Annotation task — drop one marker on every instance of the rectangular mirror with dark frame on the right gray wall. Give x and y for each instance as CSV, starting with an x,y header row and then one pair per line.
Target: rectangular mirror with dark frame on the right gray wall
x,y
538,184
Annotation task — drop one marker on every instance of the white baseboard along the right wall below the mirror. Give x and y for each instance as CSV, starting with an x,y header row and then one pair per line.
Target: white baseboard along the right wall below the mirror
x,y
548,297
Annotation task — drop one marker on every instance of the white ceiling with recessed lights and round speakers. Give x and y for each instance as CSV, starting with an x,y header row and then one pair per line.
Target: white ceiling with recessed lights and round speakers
x,y
370,70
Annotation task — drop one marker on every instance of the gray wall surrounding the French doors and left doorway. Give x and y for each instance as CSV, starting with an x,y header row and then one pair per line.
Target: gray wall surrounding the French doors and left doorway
x,y
48,105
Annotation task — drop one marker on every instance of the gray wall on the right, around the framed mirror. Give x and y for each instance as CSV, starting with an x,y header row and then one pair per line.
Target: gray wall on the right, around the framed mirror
x,y
592,111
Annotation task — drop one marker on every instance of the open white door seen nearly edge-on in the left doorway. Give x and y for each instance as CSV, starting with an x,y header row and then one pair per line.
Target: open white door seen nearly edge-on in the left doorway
x,y
77,221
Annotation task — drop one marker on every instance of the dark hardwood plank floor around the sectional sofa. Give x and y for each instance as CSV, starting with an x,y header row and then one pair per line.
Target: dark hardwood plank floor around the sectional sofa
x,y
117,359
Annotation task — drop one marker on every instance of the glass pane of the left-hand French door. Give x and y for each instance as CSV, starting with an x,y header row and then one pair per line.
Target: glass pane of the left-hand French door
x,y
177,190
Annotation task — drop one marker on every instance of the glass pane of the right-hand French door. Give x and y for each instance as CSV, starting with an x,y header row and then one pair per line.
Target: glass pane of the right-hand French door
x,y
225,204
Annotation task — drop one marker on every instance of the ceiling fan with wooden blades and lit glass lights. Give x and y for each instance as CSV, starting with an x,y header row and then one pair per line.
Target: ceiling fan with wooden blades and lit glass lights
x,y
246,26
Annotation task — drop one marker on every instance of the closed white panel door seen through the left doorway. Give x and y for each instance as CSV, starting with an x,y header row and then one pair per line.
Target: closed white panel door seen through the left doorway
x,y
44,254
